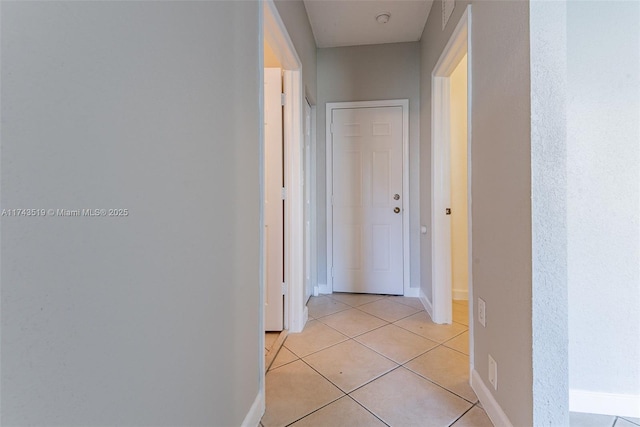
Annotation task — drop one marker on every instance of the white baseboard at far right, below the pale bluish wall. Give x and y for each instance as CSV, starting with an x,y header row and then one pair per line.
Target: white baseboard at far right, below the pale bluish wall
x,y
593,402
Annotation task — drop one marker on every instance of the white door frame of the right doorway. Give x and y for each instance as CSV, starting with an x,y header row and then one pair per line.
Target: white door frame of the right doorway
x,y
458,45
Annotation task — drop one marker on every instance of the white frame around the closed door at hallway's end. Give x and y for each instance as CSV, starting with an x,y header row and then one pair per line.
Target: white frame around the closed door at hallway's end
x,y
404,103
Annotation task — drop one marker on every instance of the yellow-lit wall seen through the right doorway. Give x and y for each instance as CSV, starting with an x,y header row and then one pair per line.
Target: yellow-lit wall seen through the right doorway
x,y
459,204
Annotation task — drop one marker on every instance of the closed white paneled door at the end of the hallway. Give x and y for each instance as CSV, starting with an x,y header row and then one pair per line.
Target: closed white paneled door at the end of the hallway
x,y
367,200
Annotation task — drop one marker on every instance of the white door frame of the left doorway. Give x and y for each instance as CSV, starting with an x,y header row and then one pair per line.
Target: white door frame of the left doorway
x,y
275,33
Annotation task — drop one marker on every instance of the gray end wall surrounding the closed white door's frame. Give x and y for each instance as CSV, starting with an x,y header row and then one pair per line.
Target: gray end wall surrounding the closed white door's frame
x,y
366,73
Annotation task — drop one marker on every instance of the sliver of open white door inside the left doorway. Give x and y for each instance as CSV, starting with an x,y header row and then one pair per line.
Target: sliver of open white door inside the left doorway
x,y
273,201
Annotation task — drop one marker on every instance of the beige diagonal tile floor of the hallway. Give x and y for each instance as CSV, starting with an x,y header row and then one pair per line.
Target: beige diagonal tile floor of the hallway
x,y
373,360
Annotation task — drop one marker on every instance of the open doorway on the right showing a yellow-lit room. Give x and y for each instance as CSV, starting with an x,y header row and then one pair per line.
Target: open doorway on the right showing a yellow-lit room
x,y
451,180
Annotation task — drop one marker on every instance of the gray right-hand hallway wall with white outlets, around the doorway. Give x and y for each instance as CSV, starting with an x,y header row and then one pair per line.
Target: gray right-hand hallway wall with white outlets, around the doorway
x,y
501,189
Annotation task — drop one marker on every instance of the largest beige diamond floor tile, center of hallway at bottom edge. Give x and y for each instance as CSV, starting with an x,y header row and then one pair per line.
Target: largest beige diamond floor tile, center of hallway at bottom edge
x,y
422,403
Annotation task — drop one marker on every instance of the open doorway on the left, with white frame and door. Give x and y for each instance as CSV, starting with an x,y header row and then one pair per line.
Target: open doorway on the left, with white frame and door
x,y
282,299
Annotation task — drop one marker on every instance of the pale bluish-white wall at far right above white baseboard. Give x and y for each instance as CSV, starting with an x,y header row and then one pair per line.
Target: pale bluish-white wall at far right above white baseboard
x,y
603,207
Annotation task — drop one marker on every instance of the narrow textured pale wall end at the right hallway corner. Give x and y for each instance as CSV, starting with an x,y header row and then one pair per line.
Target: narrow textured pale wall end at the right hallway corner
x,y
549,212
